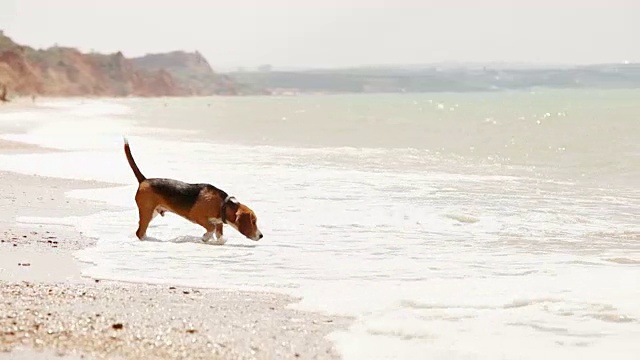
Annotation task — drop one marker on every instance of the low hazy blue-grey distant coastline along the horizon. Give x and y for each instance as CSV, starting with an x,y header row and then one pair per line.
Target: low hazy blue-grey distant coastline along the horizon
x,y
431,79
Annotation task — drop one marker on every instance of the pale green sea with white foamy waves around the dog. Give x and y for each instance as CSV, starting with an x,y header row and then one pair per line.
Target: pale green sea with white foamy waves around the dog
x,y
488,225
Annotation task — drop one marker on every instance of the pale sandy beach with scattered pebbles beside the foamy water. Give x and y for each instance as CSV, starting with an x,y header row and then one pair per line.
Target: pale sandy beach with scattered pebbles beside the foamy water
x,y
48,309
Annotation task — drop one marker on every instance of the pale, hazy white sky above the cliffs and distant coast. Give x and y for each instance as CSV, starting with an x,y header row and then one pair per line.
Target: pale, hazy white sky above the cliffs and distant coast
x,y
329,33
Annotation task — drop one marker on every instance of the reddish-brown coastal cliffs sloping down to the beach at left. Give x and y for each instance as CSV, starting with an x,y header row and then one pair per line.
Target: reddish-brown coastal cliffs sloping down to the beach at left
x,y
62,71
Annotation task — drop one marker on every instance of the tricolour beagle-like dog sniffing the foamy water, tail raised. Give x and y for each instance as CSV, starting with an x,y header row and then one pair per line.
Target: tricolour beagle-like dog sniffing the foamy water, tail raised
x,y
202,204
